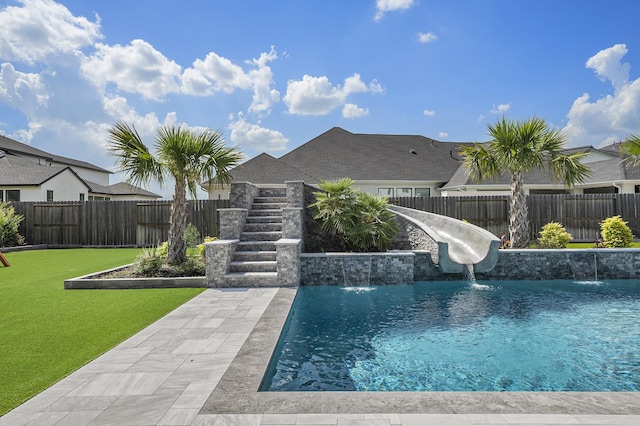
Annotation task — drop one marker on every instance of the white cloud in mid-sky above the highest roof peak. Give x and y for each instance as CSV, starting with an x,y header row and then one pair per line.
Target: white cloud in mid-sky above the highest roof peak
x,y
317,96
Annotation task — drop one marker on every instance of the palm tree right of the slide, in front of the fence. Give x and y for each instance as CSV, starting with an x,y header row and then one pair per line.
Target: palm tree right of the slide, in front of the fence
x,y
518,147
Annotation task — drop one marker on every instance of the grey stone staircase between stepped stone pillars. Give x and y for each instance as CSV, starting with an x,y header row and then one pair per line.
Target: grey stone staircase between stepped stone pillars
x,y
254,259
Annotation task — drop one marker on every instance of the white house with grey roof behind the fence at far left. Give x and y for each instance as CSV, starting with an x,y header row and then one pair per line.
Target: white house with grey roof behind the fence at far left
x,y
30,174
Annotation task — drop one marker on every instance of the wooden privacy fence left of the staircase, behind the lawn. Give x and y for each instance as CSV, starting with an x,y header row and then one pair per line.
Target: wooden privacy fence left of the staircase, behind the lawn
x,y
110,223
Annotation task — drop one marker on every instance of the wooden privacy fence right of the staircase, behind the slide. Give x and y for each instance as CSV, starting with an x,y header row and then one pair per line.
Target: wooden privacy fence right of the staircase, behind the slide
x,y
581,215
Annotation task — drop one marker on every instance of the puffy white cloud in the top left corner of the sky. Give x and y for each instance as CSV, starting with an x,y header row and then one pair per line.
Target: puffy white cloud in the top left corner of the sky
x,y
42,29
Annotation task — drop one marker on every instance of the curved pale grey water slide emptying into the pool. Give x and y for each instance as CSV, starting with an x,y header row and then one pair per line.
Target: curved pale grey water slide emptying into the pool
x,y
459,243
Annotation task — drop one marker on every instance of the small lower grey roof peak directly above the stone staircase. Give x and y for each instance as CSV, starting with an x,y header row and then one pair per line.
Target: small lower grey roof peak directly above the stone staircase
x,y
266,169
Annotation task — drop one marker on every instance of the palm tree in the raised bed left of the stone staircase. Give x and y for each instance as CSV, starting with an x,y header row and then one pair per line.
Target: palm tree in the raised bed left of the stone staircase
x,y
186,156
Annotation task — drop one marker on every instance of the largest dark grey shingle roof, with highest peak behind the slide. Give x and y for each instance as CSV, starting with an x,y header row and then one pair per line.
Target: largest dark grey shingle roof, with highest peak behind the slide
x,y
338,153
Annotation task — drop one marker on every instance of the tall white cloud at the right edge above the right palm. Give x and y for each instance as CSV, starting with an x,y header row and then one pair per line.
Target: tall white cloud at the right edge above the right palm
x,y
612,117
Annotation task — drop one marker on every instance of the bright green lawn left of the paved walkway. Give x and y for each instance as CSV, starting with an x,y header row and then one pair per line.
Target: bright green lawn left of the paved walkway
x,y
47,332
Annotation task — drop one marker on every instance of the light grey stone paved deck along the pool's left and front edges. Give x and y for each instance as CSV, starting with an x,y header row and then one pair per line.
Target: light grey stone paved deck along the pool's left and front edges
x,y
202,363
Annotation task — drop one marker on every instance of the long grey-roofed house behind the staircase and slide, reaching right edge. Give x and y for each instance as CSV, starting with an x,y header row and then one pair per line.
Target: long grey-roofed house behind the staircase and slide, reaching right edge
x,y
415,166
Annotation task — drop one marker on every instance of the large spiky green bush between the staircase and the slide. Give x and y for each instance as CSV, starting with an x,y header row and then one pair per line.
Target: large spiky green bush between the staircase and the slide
x,y
361,219
